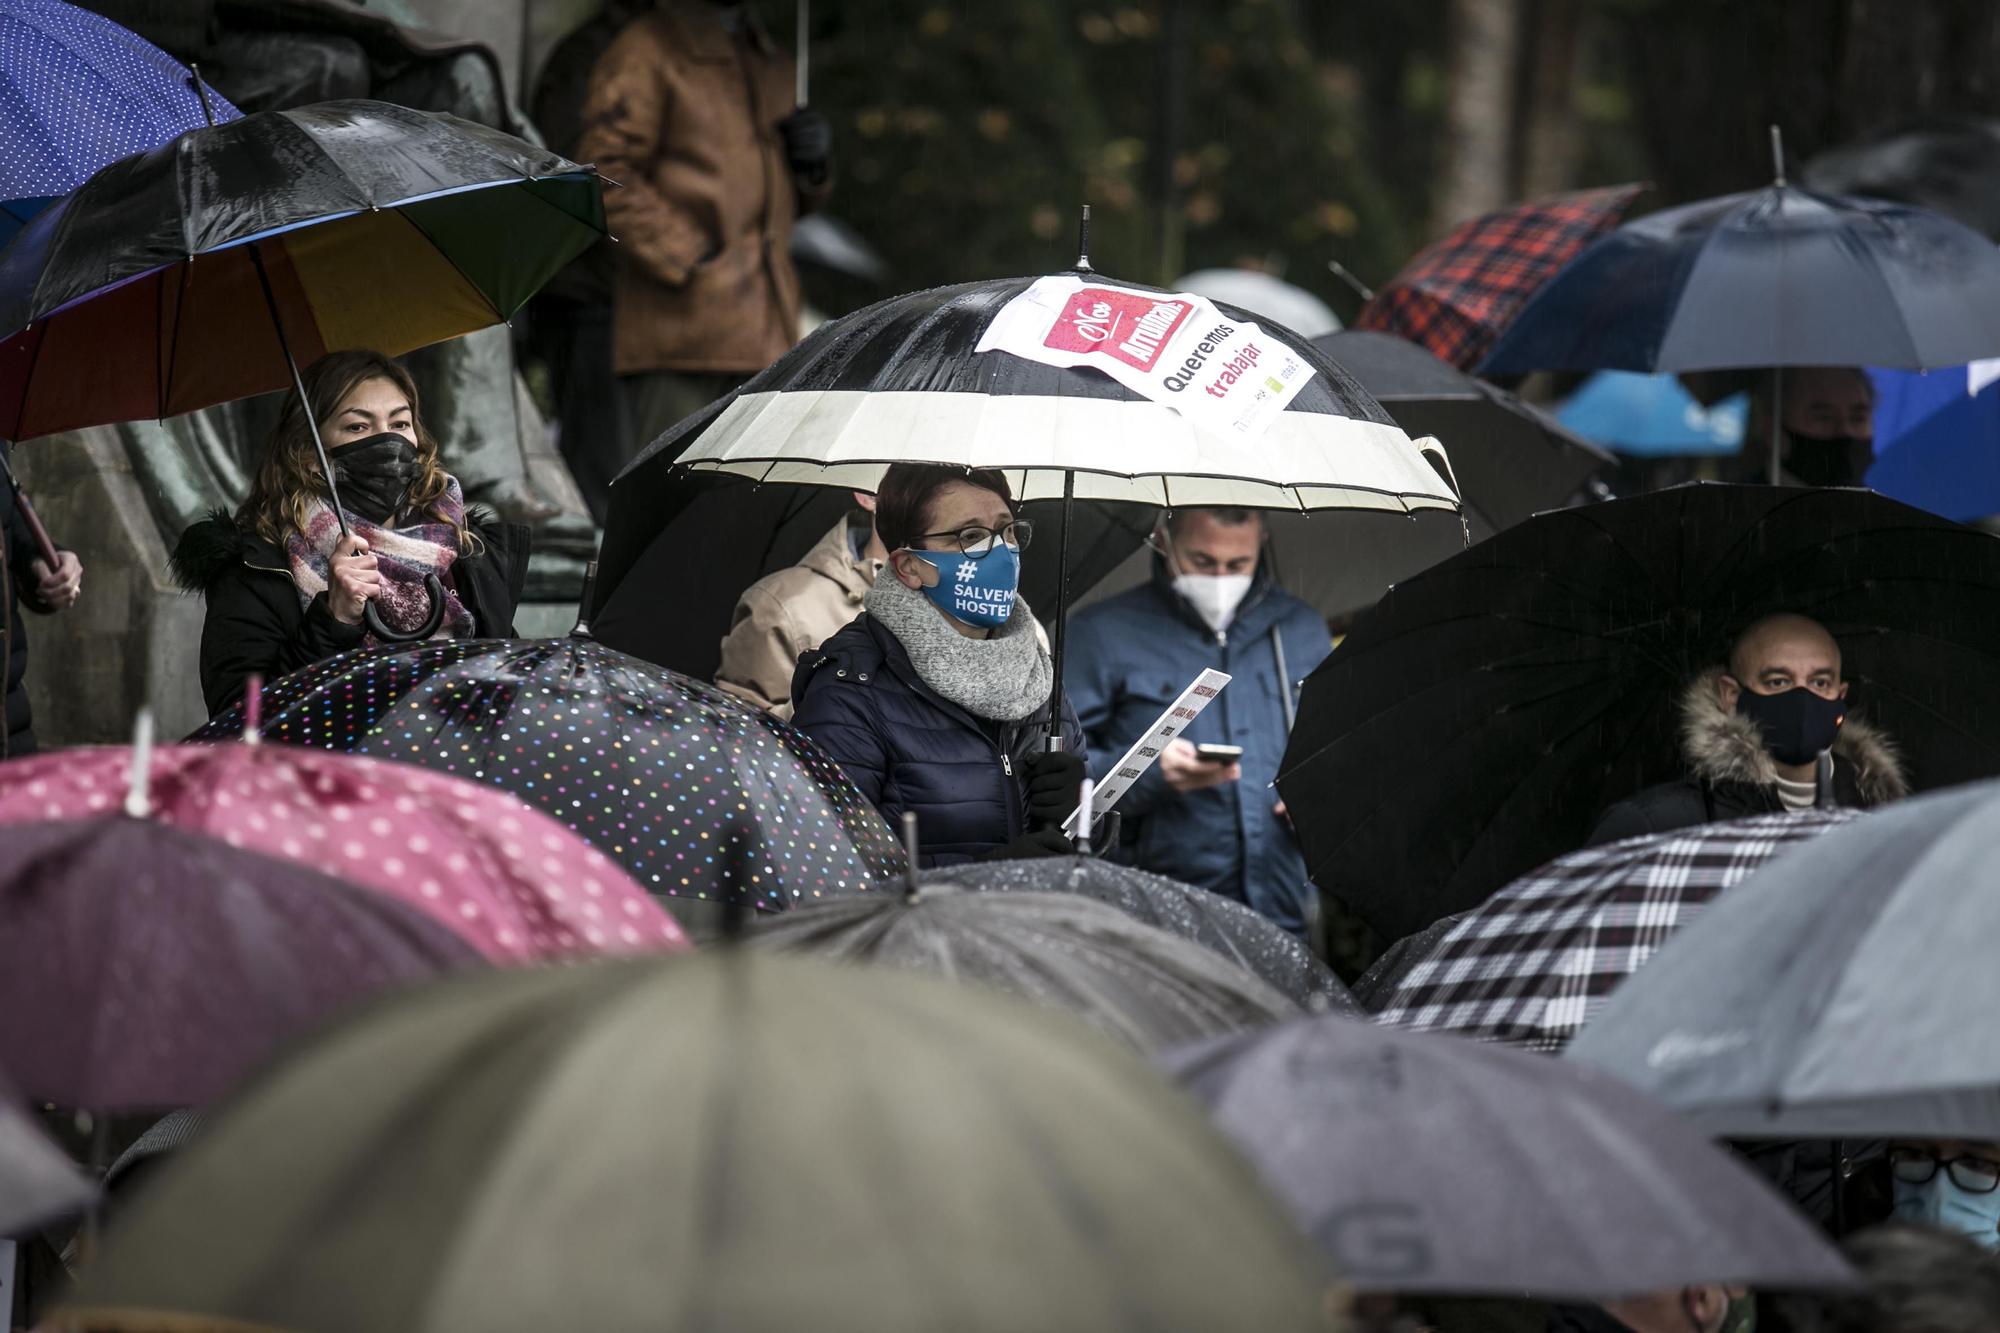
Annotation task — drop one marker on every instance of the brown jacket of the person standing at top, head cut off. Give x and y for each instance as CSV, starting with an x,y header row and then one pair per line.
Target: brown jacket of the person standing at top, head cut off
x,y
685,119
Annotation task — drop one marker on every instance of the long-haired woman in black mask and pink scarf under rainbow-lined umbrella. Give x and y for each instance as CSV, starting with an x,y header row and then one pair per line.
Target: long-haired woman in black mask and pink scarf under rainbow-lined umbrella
x,y
285,589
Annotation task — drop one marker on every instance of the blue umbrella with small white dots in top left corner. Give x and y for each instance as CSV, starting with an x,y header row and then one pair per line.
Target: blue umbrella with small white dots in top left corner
x,y
79,93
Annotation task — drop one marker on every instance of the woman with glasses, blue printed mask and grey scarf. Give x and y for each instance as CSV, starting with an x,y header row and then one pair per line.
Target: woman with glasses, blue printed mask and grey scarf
x,y
937,698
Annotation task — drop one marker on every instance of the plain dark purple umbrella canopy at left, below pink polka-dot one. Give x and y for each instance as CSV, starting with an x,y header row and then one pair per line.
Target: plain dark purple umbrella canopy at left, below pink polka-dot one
x,y
149,968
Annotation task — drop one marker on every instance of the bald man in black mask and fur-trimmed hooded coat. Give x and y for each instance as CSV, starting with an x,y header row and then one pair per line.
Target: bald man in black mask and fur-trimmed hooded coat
x,y
1761,734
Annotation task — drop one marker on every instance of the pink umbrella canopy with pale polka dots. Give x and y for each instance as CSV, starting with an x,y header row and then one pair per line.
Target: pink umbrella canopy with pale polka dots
x,y
509,880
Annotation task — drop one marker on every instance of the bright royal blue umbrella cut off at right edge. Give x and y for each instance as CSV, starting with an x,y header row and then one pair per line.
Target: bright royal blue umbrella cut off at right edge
x,y
1939,439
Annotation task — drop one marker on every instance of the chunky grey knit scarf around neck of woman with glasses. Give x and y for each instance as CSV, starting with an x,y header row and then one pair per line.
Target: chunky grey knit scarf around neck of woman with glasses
x,y
1003,678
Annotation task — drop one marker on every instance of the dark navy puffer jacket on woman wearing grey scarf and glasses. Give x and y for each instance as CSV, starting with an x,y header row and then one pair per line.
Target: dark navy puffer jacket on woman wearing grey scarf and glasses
x,y
911,750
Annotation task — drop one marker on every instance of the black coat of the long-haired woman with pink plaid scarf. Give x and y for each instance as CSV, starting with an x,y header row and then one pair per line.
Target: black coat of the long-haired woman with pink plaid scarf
x,y
255,623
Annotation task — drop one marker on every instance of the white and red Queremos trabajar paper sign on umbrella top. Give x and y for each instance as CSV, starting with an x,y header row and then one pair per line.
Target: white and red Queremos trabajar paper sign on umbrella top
x,y
1171,347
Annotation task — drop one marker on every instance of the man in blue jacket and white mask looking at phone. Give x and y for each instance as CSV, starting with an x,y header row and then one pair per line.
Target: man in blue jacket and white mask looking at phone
x,y
1211,603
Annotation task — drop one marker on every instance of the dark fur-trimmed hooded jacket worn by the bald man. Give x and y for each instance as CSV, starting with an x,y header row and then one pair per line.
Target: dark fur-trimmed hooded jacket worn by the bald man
x,y
1731,776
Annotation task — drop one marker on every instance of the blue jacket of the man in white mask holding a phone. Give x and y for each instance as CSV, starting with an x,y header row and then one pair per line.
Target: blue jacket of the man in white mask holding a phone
x,y
1131,657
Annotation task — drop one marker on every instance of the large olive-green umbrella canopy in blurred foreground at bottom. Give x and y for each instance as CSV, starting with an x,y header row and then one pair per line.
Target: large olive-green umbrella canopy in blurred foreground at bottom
x,y
725,1142
